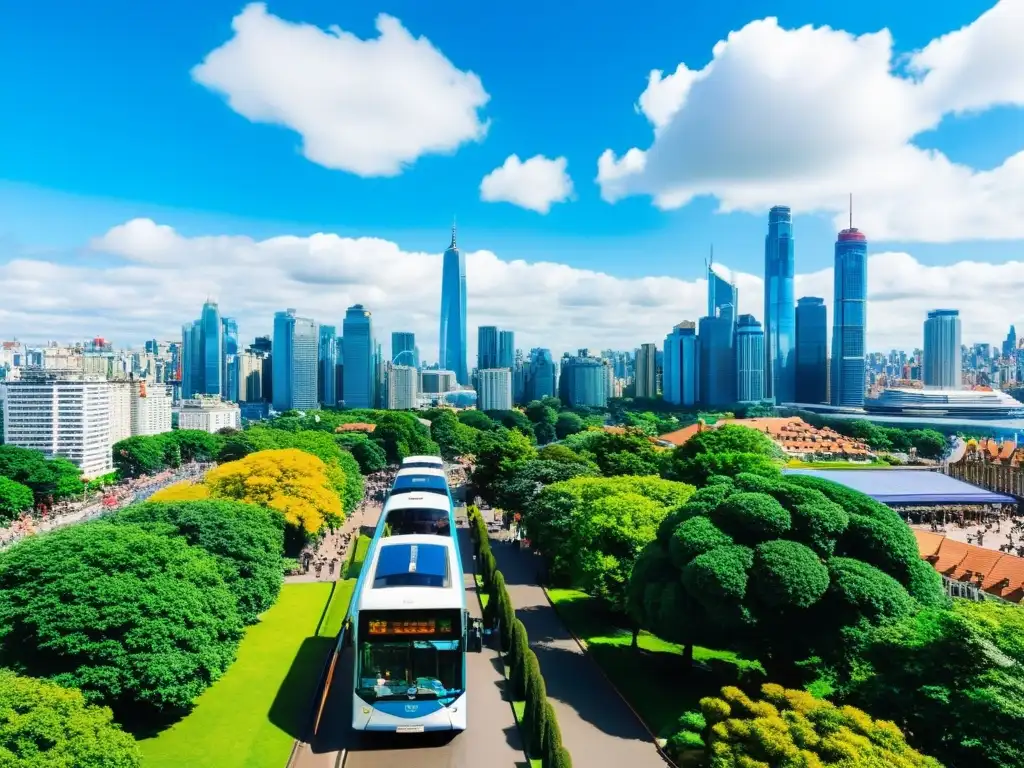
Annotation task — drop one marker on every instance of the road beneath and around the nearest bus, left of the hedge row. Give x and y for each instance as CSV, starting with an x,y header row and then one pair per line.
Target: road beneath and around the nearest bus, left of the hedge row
x,y
492,741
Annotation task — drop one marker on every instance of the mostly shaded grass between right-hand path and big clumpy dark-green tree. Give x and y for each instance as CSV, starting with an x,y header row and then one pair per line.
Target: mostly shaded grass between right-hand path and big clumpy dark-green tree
x,y
655,681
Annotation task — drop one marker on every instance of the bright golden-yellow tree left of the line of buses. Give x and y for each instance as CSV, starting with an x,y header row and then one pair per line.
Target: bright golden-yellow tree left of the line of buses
x,y
292,482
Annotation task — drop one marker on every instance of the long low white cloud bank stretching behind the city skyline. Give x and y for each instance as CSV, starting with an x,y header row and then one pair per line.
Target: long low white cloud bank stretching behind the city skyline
x,y
161,280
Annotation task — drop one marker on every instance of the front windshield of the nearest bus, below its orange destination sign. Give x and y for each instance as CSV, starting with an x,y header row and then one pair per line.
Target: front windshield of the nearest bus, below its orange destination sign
x,y
410,670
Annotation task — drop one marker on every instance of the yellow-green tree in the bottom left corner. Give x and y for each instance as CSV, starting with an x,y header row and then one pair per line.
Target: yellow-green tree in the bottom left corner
x,y
45,726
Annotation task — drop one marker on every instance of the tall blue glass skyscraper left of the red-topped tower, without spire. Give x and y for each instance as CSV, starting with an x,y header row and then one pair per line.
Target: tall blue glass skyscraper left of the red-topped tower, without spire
x,y
781,313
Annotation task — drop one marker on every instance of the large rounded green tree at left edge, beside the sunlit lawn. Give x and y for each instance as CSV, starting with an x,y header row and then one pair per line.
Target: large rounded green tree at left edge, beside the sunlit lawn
x,y
140,622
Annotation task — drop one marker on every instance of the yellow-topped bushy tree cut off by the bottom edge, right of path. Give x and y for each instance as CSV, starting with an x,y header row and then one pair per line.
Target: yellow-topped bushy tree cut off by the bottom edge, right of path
x,y
793,729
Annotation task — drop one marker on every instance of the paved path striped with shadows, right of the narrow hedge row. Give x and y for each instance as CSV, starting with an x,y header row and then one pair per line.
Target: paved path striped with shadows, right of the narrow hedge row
x,y
598,728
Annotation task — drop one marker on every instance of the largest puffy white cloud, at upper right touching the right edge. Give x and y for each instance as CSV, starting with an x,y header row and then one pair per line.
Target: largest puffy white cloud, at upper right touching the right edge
x,y
802,117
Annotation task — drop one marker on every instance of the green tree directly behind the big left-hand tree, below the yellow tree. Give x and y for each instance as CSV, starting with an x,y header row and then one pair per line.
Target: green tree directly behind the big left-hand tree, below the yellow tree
x,y
248,542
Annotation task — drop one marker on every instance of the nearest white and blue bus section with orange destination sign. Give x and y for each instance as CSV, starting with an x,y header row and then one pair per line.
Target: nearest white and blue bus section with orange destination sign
x,y
410,631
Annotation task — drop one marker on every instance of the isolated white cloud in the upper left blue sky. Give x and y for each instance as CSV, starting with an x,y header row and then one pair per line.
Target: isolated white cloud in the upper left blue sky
x,y
367,107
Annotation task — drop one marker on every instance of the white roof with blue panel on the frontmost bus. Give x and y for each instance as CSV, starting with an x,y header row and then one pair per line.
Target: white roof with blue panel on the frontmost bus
x,y
397,554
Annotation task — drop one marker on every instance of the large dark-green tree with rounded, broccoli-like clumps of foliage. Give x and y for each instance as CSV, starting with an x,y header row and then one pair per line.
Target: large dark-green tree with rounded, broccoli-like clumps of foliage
x,y
747,561
